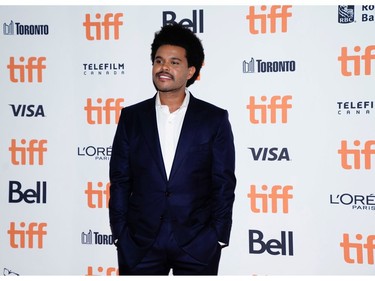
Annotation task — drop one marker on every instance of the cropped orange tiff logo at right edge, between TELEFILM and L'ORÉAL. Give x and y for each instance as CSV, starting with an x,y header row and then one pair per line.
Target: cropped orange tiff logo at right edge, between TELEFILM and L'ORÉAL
x,y
354,162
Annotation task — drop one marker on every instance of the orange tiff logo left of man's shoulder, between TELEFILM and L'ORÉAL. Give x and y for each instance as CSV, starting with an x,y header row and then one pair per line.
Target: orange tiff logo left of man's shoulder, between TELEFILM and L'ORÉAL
x,y
95,112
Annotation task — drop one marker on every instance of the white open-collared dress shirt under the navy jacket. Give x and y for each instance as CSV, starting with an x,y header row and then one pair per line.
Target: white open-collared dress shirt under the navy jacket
x,y
169,128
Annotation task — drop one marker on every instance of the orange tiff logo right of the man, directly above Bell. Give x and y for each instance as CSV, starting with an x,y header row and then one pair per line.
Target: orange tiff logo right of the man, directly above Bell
x,y
266,202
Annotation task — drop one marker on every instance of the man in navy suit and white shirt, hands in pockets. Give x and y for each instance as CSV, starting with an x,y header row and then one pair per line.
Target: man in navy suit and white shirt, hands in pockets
x,y
172,170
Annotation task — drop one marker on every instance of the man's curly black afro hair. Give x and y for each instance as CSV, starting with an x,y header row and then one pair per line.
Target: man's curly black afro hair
x,y
178,35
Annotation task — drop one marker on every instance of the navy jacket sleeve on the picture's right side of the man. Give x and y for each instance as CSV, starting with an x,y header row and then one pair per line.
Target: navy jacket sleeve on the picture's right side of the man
x,y
224,180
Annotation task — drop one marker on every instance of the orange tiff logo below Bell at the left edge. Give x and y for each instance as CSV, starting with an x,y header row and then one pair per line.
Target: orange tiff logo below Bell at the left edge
x,y
24,236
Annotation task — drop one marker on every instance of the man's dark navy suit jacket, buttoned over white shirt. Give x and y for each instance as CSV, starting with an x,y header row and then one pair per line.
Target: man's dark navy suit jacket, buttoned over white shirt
x,y
199,194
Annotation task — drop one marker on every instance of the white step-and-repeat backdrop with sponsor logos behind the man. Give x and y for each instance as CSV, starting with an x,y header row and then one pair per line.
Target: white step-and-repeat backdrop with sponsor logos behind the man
x,y
298,82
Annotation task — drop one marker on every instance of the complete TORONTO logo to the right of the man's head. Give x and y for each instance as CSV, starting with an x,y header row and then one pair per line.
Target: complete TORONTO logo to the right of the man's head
x,y
261,66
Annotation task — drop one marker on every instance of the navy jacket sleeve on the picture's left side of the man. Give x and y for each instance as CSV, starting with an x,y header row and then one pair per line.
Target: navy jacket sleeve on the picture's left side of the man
x,y
120,180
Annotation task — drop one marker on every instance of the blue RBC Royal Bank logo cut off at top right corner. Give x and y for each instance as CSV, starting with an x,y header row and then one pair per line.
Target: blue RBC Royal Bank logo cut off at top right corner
x,y
349,13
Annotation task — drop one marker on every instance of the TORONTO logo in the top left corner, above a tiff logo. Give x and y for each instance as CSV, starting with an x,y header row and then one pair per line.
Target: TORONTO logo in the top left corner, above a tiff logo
x,y
17,28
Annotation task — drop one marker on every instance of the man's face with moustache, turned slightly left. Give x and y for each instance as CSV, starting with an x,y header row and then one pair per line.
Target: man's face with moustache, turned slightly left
x,y
170,70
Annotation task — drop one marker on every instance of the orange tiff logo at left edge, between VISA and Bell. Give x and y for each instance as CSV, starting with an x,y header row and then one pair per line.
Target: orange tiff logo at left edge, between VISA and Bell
x,y
26,153
